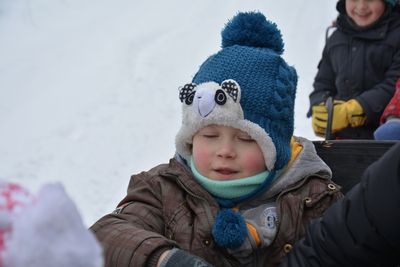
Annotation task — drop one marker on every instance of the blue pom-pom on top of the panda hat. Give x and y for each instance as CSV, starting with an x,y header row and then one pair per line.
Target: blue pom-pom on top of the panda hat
x,y
254,30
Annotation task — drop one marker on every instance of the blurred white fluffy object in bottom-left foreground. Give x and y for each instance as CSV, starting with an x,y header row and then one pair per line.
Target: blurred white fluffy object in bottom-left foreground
x,y
49,232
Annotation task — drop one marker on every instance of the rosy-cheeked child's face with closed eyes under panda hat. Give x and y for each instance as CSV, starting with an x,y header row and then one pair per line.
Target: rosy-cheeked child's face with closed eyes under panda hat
x,y
226,153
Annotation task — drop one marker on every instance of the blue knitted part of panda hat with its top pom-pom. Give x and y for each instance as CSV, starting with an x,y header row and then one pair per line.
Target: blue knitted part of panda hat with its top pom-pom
x,y
250,55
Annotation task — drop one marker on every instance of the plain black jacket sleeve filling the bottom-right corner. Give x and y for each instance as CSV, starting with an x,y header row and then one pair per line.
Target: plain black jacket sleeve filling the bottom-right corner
x,y
361,229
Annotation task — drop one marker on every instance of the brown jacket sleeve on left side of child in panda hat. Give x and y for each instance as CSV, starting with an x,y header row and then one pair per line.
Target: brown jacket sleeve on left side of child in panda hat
x,y
134,235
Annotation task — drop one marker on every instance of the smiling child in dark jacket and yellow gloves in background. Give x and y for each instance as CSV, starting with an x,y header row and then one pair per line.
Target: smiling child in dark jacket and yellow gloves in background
x,y
359,67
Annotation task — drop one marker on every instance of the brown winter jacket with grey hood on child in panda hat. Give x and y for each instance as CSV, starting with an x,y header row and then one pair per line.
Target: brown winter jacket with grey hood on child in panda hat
x,y
165,207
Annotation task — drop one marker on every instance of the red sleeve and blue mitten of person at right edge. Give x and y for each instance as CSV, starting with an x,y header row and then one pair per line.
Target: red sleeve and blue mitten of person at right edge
x,y
390,120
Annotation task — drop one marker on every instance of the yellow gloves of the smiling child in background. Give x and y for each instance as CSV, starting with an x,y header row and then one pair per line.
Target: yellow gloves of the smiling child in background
x,y
344,114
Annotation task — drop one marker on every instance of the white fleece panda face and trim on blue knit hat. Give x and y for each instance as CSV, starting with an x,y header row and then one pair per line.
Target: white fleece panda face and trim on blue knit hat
x,y
212,103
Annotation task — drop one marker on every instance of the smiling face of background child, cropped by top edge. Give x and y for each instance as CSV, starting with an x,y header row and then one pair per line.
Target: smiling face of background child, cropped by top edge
x,y
365,12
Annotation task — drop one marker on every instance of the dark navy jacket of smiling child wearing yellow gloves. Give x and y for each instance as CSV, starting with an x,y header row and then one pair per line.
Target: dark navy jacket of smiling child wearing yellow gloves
x,y
362,64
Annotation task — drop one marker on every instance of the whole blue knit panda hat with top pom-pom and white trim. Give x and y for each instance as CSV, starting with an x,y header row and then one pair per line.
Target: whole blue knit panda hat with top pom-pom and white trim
x,y
246,85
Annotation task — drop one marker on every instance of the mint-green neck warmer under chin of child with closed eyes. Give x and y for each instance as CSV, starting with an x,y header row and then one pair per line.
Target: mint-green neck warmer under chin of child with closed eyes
x,y
229,189
